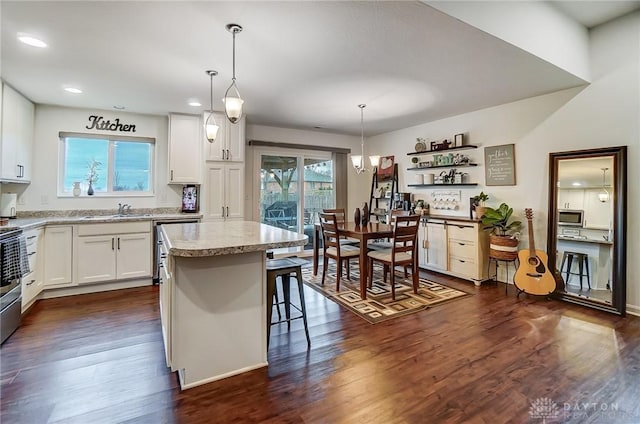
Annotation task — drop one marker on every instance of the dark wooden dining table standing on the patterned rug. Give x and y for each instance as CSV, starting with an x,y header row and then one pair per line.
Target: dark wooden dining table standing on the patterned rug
x,y
362,233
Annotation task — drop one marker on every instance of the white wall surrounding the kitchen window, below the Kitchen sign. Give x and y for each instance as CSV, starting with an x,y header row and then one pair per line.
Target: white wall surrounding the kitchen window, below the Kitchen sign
x,y
49,121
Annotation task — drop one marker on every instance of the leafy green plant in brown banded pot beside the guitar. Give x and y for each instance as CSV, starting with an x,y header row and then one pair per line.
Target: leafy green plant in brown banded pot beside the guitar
x,y
503,240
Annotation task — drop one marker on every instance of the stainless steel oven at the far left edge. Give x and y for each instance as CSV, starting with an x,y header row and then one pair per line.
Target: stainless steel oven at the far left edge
x,y
13,265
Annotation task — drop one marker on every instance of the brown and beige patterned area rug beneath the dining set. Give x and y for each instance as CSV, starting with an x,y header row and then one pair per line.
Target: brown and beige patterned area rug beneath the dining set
x,y
379,306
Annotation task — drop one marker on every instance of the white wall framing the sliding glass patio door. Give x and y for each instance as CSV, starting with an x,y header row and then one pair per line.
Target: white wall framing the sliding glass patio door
x,y
312,139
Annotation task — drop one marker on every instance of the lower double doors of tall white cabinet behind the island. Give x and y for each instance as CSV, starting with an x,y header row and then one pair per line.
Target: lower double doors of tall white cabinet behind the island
x,y
224,195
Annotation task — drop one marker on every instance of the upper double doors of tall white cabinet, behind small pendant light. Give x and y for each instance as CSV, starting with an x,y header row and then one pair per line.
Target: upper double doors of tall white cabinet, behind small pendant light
x,y
229,144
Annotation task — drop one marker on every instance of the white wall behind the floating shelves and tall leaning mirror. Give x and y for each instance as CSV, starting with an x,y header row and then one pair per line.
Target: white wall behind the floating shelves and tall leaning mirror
x,y
605,113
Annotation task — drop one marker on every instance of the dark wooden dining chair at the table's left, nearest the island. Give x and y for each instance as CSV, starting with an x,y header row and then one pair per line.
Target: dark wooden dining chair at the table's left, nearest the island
x,y
334,249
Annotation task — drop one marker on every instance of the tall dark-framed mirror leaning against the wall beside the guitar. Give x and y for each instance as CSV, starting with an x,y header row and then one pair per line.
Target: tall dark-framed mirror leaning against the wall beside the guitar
x,y
587,227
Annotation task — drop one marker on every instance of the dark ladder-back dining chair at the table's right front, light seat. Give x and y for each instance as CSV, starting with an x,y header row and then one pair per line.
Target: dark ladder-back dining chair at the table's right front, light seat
x,y
403,251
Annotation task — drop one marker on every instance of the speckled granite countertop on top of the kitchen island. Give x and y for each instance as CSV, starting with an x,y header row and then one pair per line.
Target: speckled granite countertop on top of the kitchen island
x,y
227,238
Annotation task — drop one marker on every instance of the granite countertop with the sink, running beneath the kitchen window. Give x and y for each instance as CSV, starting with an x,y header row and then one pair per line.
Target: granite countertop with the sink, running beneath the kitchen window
x,y
27,223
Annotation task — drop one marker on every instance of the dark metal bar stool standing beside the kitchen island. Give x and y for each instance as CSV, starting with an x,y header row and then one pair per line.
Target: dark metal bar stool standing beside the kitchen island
x,y
283,268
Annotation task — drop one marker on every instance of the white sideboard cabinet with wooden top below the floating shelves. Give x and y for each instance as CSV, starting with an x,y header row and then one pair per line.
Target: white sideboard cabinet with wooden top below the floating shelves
x,y
458,248
